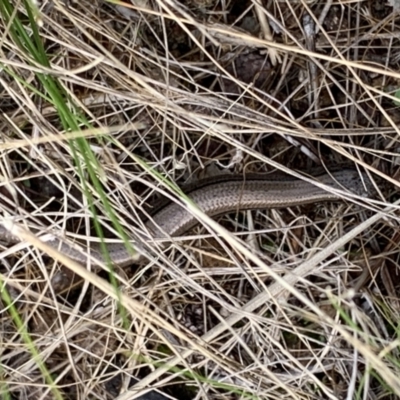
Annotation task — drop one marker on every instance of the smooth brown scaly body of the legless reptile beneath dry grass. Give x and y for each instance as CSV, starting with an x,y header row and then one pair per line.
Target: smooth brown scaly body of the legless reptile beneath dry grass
x,y
219,195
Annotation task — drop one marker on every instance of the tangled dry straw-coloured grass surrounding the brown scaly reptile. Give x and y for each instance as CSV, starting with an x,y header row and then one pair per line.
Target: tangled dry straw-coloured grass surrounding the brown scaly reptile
x,y
299,303
